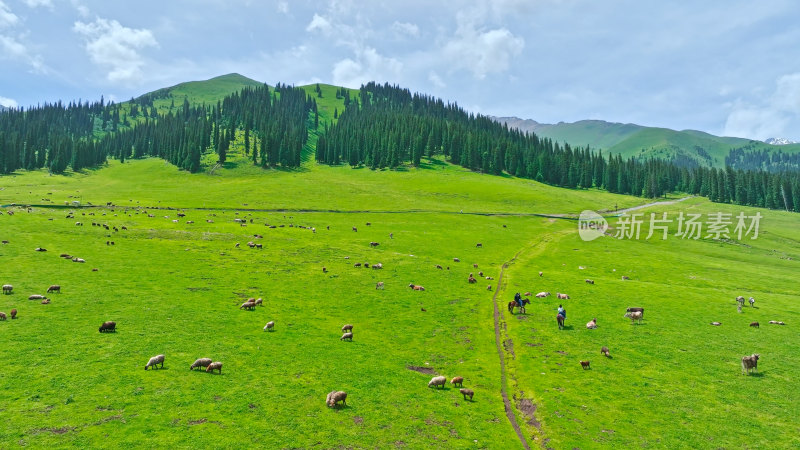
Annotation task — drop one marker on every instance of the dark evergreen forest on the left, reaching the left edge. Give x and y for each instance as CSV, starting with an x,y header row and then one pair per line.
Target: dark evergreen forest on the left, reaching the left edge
x,y
82,135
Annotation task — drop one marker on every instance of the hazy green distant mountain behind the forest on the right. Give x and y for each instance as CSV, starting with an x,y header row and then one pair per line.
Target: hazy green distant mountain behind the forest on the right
x,y
687,147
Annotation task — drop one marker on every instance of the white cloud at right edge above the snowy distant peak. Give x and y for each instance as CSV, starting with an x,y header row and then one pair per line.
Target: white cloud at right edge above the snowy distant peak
x,y
770,118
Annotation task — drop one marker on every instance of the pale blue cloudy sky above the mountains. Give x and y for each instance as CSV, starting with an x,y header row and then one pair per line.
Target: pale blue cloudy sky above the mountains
x,y
723,66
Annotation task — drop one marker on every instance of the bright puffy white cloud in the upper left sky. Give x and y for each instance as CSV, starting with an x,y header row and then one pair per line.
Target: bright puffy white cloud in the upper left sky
x,y
116,48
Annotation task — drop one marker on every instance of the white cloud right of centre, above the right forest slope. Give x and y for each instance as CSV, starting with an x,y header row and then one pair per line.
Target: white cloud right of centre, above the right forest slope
x,y
482,52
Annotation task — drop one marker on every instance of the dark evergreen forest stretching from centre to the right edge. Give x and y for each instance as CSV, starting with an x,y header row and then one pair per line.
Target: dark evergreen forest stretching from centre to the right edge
x,y
388,126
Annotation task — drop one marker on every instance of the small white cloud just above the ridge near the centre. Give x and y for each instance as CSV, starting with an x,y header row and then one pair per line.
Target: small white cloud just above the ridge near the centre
x,y
369,65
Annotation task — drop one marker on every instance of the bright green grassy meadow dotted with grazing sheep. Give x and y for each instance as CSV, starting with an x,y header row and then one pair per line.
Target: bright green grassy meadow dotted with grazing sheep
x,y
174,288
